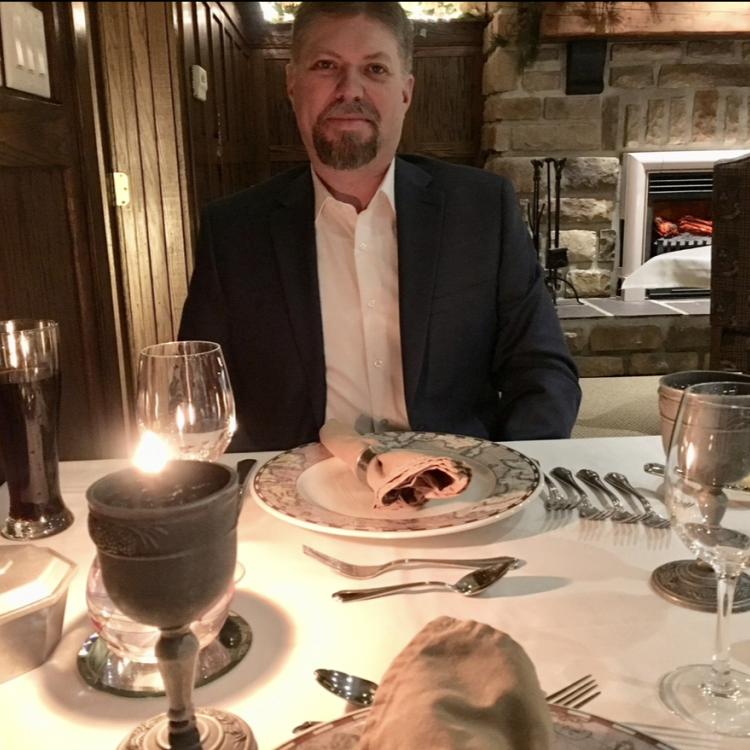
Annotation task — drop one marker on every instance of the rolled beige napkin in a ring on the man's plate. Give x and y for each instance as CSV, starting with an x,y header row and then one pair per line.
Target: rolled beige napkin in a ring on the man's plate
x,y
397,477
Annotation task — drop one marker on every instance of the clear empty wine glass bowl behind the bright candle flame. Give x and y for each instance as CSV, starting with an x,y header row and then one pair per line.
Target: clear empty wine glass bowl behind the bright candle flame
x,y
185,398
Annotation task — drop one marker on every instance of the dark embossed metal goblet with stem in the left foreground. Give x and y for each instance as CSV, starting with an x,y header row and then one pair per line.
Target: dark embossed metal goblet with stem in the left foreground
x,y
167,547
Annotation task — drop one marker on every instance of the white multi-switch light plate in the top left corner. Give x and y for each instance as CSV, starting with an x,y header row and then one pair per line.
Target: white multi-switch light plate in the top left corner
x,y
24,48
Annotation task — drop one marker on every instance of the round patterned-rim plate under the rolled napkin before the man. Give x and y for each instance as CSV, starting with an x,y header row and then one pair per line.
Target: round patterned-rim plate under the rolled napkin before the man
x,y
307,487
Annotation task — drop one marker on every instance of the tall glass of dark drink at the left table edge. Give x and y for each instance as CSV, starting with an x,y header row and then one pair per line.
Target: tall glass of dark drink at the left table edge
x,y
29,420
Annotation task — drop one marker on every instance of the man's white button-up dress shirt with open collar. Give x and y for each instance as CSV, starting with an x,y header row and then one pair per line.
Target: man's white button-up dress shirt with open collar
x,y
358,277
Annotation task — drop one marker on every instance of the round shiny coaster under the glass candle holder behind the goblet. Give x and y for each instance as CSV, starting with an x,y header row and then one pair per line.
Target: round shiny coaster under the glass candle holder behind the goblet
x,y
104,669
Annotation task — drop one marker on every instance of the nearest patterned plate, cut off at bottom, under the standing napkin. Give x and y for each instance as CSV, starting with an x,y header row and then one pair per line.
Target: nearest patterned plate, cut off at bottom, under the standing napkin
x,y
571,730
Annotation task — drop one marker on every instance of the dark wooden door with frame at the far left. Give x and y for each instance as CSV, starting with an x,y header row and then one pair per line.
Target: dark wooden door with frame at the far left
x,y
54,254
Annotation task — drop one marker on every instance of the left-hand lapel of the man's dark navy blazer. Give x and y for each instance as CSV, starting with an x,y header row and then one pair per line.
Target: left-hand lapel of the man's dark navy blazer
x,y
293,236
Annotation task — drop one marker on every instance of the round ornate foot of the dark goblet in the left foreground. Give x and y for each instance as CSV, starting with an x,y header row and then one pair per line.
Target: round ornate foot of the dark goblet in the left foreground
x,y
218,730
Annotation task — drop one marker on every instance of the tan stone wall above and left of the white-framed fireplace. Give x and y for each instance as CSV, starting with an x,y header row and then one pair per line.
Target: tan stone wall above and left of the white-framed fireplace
x,y
658,96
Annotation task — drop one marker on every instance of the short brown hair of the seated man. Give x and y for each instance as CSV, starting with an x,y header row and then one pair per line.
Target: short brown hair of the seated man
x,y
391,15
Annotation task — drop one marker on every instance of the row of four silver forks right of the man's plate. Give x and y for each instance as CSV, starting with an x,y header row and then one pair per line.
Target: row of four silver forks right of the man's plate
x,y
611,507
